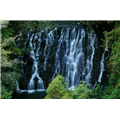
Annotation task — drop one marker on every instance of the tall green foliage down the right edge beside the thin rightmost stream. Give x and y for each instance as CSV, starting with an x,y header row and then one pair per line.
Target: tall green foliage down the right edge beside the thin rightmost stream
x,y
112,91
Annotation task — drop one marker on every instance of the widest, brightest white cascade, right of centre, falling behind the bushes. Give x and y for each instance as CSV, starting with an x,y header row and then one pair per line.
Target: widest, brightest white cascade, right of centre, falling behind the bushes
x,y
73,58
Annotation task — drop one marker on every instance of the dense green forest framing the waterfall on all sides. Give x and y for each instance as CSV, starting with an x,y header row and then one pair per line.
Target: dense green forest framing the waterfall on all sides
x,y
10,30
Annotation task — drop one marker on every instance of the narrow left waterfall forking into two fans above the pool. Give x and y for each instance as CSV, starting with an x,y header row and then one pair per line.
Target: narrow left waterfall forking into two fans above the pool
x,y
35,56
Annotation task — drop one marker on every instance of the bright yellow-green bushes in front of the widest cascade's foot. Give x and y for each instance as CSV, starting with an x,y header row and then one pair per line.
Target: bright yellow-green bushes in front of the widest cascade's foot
x,y
57,90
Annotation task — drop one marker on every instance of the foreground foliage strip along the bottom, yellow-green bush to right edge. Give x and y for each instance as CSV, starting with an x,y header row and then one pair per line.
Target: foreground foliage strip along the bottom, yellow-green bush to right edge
x,y
57,90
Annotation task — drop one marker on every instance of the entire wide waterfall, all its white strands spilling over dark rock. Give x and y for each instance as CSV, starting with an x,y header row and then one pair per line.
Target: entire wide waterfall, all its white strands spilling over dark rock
x,y
74,56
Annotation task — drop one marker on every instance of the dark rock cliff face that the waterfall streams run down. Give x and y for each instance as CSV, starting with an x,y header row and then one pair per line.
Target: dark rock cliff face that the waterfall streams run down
x,y
72,52
